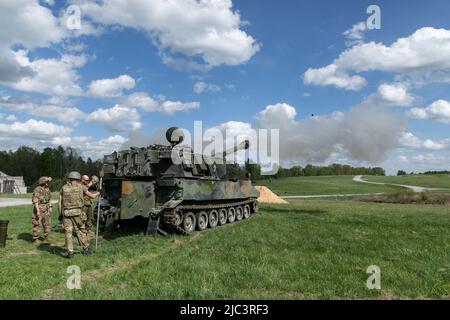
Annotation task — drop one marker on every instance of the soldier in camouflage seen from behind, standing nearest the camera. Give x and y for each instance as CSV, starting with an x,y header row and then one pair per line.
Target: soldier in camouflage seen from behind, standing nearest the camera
x,y
71,200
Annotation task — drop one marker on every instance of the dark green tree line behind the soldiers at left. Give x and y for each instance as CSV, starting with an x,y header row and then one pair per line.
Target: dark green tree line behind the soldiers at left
x,y
52,162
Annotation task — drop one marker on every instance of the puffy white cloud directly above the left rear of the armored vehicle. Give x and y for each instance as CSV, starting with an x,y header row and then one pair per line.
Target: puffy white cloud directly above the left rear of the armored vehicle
x,y
116,119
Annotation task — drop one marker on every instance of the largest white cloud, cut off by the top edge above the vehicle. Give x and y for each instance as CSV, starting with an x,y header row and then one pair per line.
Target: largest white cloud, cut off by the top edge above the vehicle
x,y
210,30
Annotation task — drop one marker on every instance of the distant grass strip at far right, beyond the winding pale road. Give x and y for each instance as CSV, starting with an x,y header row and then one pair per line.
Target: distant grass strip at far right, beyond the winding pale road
x,y
422,180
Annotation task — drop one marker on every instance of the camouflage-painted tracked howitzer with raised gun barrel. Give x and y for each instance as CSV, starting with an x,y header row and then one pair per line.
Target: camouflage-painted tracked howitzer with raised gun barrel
x,y
175,189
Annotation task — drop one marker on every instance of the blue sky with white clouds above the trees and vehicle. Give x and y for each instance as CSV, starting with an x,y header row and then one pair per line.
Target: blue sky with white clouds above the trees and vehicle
x,y
237,65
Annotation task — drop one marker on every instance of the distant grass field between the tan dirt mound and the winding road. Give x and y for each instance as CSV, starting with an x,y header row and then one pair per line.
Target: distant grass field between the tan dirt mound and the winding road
x,y
324,185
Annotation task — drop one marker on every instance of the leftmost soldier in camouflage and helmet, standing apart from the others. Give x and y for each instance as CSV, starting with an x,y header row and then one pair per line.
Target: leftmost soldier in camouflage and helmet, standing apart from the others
x,y
42,207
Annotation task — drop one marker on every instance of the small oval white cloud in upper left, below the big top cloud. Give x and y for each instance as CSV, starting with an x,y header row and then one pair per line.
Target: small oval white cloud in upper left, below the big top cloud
x,y
111,88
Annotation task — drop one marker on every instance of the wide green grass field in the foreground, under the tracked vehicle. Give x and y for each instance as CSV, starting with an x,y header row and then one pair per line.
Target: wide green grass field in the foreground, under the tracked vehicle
x,y
307,249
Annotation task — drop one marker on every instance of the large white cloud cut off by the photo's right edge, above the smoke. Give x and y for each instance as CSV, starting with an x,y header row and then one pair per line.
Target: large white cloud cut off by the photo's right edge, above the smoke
x,y
422,55
